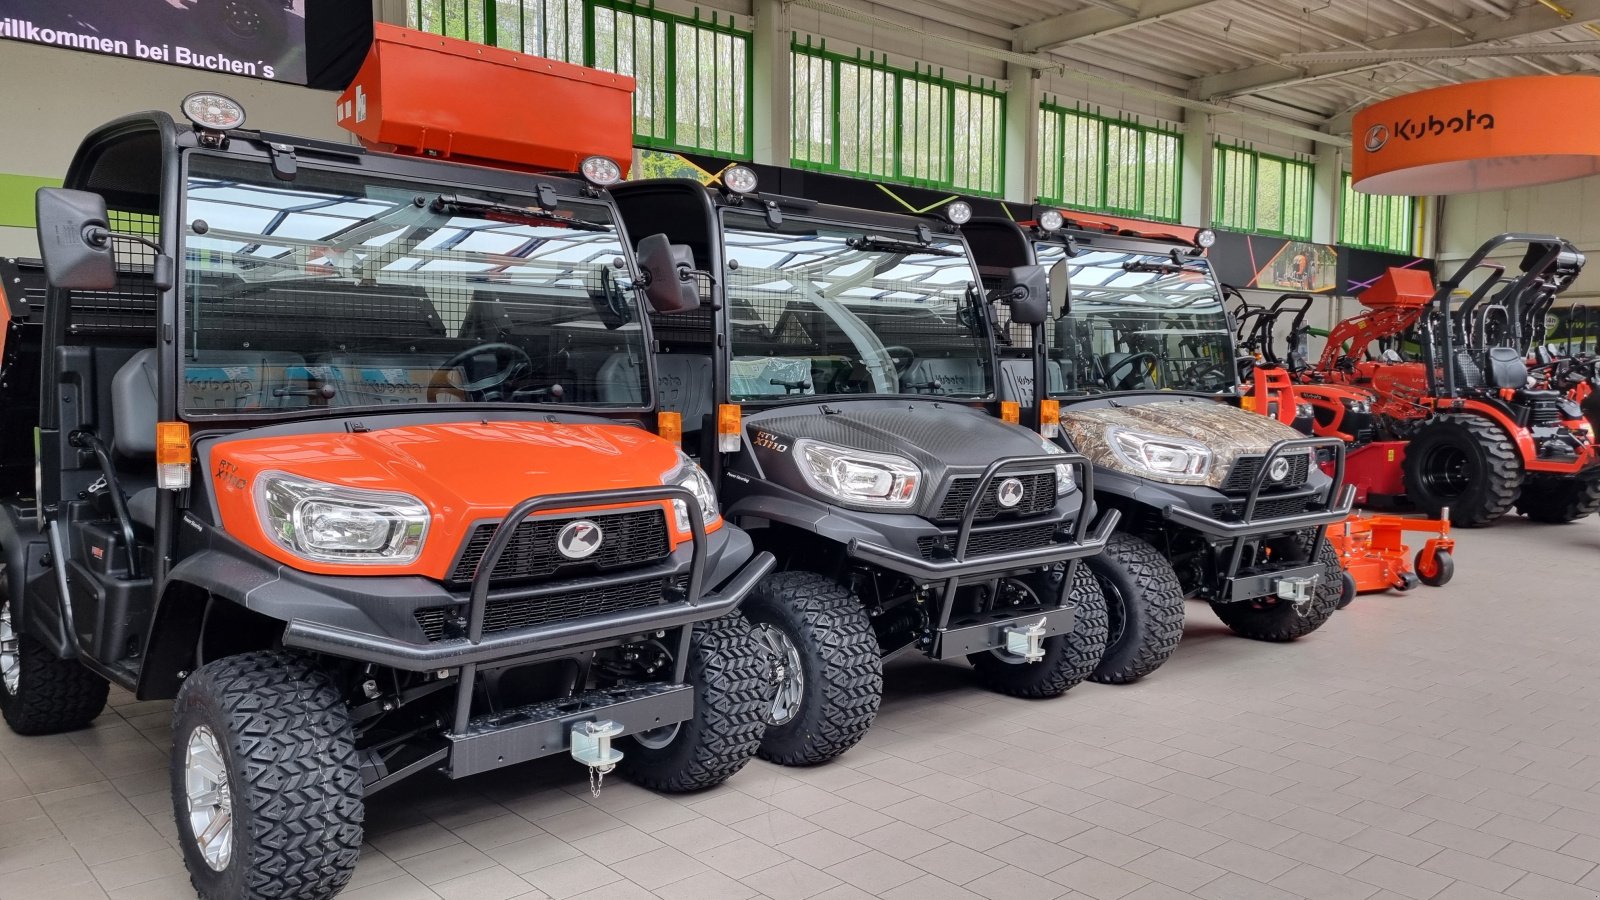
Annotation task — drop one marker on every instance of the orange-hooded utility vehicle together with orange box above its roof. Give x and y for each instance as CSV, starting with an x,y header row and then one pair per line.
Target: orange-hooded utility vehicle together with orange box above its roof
x,y
351,454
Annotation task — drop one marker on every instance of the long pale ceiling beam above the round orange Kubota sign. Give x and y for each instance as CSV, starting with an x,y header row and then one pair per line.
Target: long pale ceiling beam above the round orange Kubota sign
x,y
1484,30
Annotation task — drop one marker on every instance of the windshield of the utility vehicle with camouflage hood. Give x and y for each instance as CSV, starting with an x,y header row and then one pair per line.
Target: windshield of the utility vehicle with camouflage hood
x,y
1138,323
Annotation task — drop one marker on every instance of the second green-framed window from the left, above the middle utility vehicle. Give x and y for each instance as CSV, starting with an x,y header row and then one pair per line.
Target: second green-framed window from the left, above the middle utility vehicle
x,y
865,118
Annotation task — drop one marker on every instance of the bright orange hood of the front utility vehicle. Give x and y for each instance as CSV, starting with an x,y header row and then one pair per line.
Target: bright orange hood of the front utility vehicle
x,y
463,472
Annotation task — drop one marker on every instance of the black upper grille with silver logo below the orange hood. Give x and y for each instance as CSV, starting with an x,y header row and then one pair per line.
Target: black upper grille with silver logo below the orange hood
x,y
630,539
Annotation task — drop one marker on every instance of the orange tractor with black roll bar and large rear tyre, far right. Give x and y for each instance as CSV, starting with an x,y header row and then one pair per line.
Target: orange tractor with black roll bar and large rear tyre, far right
x,y
1479,438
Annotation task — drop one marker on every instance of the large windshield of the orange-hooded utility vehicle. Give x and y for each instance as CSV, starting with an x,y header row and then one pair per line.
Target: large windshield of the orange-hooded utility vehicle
x,y
340,289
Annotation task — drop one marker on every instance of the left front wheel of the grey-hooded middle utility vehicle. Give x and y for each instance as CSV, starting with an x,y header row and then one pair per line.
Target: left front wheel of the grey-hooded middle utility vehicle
x,y
825,662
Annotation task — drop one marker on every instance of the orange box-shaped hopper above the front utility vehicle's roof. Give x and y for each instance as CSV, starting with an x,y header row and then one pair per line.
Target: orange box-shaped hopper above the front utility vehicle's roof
x,y
452,100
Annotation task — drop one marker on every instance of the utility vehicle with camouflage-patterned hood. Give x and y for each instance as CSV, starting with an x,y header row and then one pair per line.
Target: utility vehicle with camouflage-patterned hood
x,y
1217,504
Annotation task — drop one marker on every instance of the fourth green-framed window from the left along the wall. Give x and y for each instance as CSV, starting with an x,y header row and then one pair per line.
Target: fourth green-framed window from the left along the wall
x,y
1262,193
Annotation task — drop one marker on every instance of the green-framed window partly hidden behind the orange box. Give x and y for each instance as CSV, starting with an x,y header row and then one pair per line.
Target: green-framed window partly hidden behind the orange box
x,y
694,76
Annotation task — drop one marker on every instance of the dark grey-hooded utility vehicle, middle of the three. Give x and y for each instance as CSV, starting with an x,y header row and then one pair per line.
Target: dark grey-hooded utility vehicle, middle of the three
x,y
839,385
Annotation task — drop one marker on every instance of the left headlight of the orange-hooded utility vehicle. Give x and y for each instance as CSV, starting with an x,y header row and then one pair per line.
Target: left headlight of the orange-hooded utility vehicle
x,y
329,523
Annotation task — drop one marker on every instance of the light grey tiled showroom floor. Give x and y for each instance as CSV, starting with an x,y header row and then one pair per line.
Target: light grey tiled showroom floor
x,y
1436,745
